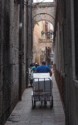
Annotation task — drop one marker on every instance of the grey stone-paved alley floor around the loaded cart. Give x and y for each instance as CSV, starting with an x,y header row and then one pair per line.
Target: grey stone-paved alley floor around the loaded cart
x,y
23,114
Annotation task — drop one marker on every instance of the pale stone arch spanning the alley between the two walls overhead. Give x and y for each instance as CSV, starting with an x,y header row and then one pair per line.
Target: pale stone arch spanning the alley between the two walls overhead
x,y
43,11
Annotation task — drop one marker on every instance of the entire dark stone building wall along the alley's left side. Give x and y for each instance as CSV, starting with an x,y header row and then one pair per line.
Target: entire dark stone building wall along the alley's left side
x,y
13,54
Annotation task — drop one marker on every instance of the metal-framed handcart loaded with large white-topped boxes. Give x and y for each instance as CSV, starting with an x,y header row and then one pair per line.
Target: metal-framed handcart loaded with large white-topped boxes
x,y
42,89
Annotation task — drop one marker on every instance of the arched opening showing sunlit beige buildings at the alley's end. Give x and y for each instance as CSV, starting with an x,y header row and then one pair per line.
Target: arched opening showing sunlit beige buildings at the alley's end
x,y
42,40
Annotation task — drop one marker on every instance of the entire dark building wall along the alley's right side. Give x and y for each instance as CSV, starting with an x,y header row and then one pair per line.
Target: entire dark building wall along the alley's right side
x,y
66,56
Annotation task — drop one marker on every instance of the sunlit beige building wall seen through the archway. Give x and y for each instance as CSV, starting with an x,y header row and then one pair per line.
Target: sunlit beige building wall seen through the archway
x,y
40,43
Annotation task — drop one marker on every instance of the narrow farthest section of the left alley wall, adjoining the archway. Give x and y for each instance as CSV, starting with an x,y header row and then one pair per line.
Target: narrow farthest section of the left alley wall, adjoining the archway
x,y
28,37
